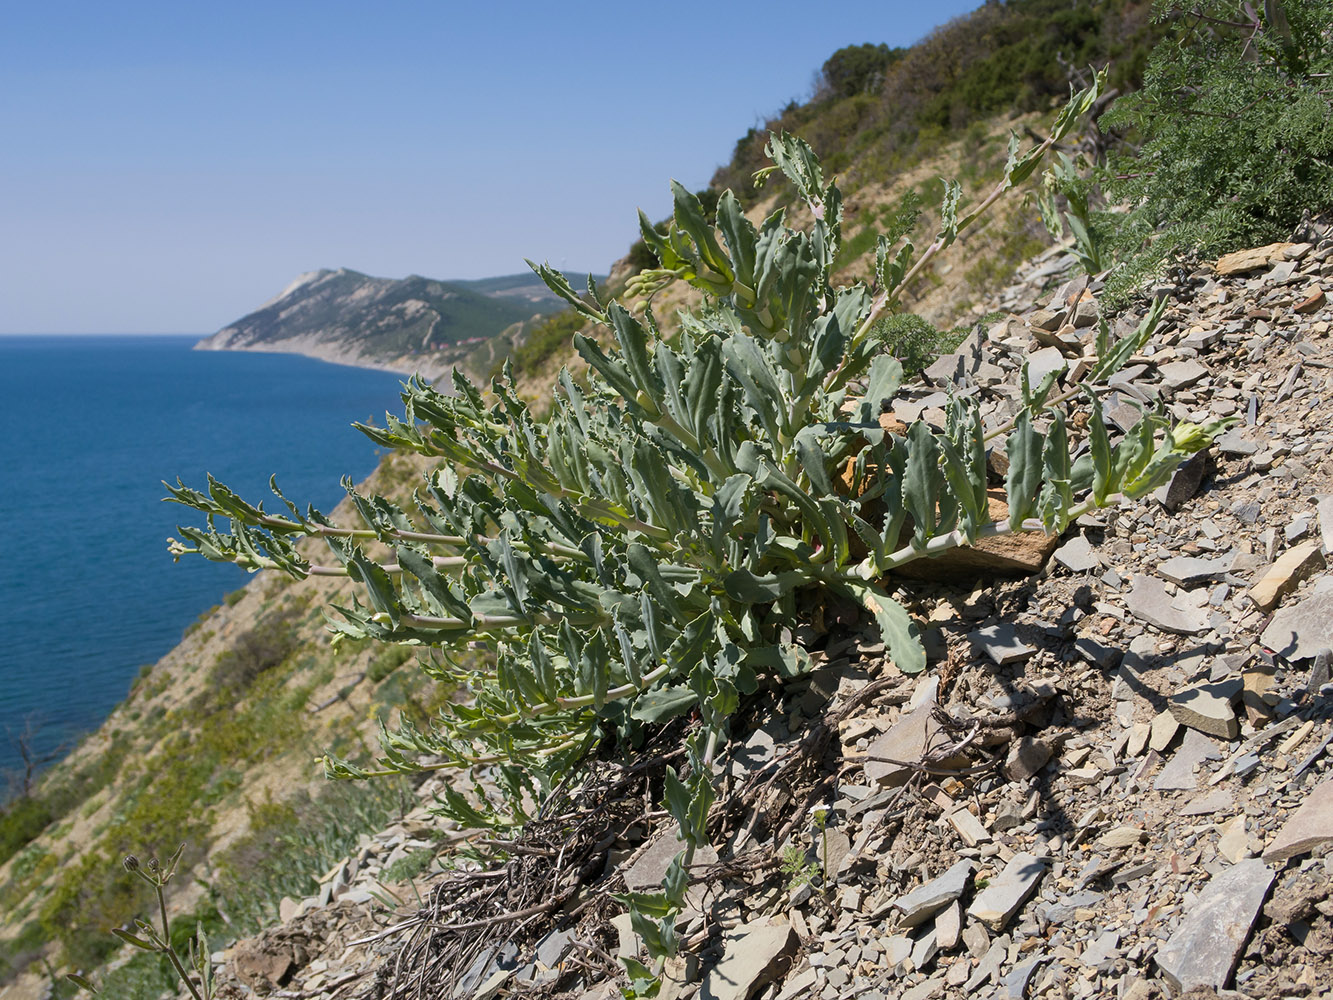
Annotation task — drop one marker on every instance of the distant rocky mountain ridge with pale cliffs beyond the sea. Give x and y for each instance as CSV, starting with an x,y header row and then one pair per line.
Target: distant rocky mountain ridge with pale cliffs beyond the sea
x,y
410,325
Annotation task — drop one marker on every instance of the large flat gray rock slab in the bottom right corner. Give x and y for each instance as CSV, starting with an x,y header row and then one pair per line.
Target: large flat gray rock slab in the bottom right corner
x,y
1204,949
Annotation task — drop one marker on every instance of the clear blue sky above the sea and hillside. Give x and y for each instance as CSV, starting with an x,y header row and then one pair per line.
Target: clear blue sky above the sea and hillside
x,y
169,167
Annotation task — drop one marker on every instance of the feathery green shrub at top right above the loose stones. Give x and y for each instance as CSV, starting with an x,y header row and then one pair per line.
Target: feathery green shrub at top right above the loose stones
x,y
1234,131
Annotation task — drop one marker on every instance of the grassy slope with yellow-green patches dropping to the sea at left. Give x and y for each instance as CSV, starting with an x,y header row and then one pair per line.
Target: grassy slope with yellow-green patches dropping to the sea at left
x,y
214,749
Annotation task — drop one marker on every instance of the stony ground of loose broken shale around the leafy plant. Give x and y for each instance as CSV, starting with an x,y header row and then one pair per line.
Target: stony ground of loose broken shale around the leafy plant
x,y
1114,782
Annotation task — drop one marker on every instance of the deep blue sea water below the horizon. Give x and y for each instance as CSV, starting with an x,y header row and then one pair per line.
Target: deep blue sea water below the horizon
x,y
93,425
